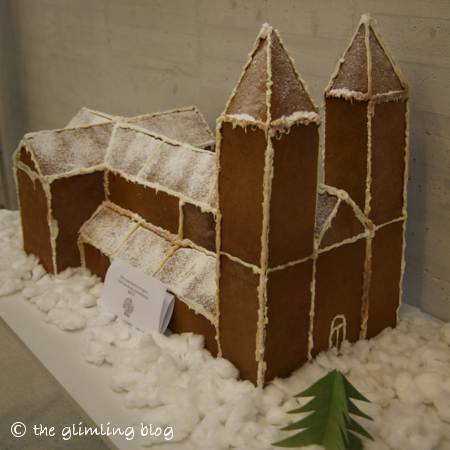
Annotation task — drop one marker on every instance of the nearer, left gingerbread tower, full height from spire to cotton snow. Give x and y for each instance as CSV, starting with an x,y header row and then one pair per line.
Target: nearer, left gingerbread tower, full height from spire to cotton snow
x,y
267,156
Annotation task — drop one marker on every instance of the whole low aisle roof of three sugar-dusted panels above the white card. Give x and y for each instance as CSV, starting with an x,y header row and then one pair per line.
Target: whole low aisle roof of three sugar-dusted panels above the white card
x,y
188,272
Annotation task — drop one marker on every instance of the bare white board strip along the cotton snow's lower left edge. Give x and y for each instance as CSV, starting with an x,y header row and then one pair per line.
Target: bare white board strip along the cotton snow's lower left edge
x,y
84,384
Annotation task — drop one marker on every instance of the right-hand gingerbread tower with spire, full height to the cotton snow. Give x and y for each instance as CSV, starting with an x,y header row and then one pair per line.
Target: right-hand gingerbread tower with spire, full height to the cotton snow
x,y
366,142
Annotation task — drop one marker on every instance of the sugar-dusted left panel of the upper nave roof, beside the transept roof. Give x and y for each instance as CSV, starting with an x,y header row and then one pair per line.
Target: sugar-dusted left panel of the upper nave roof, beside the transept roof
x,y
130,150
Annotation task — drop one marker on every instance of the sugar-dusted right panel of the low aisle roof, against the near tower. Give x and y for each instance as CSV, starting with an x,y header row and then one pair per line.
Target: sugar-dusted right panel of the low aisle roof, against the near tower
x,y
192,274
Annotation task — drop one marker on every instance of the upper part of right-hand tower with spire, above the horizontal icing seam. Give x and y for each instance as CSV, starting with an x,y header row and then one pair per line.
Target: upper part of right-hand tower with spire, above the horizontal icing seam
x,y
366,125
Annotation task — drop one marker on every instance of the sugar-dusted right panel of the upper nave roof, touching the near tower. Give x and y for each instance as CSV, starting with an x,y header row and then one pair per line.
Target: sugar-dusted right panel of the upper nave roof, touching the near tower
x,y
190,172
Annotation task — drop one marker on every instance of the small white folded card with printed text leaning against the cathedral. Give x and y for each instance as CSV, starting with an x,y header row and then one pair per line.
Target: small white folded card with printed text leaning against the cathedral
x,y
137,298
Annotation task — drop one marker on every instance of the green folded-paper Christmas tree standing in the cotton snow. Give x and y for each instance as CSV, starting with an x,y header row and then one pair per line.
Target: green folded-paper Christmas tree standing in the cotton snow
x,y
330,423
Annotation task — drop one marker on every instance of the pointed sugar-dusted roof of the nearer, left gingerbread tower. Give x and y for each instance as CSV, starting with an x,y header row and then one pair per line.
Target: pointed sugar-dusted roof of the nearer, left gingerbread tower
x,y
270,89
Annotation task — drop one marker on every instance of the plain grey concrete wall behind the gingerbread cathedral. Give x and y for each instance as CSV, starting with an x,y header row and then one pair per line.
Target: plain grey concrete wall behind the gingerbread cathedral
x,y
139,56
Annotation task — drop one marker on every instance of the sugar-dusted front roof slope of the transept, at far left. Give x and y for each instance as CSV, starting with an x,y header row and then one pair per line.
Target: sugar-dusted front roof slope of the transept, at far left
x,y
65,151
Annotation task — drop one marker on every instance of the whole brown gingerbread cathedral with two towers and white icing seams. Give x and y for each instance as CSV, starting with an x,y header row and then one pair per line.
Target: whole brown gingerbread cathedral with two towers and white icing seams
x,y
268,265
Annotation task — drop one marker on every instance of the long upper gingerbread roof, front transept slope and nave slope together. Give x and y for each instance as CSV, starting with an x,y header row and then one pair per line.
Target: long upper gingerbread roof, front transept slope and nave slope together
x,y
138,155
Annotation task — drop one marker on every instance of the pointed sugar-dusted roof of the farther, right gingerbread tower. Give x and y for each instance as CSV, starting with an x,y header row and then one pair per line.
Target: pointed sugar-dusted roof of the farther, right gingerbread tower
x,y
368,69
